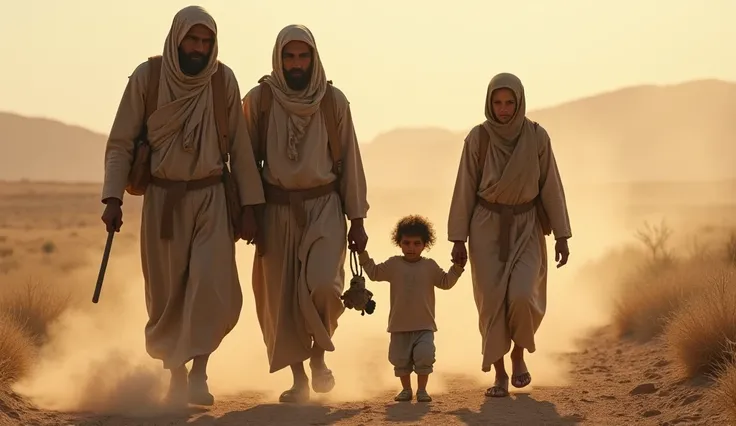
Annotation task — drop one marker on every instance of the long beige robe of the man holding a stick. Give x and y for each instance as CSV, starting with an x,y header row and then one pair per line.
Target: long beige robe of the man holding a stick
x,y
193,294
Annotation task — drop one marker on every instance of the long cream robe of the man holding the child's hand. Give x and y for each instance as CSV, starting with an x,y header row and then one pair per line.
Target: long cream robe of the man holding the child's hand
x,y
298,282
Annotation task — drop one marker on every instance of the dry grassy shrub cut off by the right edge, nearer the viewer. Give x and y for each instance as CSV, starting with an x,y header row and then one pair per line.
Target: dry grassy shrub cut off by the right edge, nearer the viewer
x,y
699,334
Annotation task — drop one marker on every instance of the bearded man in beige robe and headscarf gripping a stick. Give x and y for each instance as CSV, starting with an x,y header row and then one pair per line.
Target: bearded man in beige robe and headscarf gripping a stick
x,y
193,294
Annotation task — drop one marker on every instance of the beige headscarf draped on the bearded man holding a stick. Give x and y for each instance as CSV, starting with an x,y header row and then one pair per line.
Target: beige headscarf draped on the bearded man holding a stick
x,y
185,102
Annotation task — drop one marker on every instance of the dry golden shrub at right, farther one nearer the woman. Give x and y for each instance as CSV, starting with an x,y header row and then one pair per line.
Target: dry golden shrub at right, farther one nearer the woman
x,y
649,297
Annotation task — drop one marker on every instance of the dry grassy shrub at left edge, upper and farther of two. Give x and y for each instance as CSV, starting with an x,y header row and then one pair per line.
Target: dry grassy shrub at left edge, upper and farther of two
x,y
34,306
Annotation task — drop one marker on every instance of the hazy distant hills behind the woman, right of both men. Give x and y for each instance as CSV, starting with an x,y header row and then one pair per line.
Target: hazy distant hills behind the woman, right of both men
x,y
675,133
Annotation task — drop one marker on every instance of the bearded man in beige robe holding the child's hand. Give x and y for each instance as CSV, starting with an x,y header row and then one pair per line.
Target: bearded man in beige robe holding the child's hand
x,y
298,274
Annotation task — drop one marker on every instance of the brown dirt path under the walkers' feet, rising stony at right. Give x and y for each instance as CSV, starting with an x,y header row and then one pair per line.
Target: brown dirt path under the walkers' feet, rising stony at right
x,y
614,383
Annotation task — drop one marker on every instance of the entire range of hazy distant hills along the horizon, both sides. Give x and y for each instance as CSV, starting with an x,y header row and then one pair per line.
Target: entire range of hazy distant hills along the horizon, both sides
x,y
673,133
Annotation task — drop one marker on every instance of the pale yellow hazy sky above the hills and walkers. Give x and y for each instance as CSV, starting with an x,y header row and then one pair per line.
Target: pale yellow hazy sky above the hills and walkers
x,y
400,62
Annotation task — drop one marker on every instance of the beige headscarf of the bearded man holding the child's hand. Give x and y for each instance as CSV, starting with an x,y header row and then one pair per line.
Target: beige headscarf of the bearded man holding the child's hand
x,y
301,105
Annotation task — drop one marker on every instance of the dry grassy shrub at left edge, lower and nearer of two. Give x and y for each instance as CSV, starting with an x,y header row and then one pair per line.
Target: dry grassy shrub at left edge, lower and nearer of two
x,y
16,351
